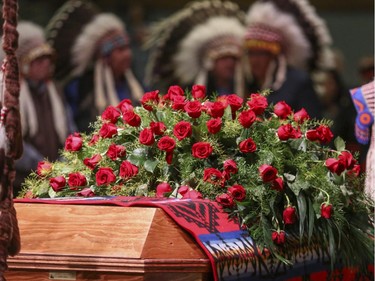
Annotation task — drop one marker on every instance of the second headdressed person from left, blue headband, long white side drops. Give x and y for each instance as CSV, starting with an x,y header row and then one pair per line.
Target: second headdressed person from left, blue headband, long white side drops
x,y
94,60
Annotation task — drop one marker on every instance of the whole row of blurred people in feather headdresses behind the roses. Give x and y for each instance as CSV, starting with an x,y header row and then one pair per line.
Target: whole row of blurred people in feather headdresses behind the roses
x,y
86,59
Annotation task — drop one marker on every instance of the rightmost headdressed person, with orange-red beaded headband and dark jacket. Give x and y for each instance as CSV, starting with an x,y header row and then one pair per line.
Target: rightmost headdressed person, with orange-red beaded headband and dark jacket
x,y
286,43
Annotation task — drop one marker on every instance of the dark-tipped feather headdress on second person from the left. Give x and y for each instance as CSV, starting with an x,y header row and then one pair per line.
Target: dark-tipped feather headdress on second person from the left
x,y
76,31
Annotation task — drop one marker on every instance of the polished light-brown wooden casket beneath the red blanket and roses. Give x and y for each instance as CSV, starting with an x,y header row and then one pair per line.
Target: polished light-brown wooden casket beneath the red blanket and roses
x,y
91,242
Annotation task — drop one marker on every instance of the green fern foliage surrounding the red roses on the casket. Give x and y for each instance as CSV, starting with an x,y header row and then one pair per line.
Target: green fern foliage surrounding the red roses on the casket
x,y
300,162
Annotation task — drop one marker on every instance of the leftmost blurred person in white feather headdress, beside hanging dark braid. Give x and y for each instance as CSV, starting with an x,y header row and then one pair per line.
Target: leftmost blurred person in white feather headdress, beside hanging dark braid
x,y
45,118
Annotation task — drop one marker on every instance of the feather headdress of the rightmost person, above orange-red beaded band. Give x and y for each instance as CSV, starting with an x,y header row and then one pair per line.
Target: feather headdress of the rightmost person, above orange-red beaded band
x,y
303,36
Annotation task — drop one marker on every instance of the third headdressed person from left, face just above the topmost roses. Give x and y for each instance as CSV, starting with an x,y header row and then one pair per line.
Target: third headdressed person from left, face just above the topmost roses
x,y
200,44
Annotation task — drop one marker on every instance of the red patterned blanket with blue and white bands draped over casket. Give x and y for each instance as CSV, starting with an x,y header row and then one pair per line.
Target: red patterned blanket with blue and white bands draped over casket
x,y
232,251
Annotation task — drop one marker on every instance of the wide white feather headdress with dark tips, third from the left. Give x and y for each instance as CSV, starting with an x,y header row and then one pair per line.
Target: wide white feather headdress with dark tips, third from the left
x,y
184,44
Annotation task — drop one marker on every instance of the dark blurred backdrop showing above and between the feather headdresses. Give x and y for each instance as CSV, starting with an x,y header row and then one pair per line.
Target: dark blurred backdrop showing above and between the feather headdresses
x,y
351,23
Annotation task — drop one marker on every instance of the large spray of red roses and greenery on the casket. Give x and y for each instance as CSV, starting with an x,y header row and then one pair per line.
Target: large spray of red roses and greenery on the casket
x,y
267,166
